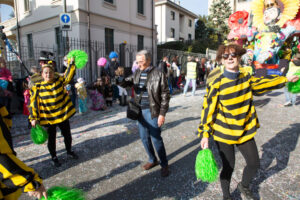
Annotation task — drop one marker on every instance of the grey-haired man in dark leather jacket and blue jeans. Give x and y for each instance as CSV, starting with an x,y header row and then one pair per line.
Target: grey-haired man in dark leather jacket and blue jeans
x,y
151,88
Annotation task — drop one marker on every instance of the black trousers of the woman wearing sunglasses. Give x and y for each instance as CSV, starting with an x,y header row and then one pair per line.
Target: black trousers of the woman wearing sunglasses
x,y
249,152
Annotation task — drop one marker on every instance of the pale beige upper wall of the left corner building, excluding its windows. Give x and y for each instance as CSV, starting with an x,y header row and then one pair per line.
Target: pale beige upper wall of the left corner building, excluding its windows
x,y
43,17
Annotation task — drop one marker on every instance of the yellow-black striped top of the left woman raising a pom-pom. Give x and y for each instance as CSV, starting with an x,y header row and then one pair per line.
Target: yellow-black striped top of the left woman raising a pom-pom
x,y
49,102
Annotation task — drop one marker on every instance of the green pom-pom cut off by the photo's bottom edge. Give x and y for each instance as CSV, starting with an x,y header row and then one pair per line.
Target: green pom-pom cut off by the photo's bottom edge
x,y
64,193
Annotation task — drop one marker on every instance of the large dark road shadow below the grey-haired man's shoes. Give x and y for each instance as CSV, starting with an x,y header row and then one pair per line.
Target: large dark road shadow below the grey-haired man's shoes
x,y
181,184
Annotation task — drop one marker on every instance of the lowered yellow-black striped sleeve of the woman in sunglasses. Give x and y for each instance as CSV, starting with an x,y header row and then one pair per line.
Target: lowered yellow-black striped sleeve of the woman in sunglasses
x,y
209,111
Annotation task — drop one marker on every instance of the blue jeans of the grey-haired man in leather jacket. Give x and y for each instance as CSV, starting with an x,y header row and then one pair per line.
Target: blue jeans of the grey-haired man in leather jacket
x,y
151,133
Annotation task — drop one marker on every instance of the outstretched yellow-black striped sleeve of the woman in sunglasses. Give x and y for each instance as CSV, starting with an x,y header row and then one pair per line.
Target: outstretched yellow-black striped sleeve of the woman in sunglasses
x,y
264,84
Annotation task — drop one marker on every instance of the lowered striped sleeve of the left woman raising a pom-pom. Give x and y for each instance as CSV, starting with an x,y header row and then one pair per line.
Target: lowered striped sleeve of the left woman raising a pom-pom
x,y
34,104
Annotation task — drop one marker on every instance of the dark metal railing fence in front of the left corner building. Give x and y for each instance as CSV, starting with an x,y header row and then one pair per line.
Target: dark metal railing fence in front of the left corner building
x,y
30,56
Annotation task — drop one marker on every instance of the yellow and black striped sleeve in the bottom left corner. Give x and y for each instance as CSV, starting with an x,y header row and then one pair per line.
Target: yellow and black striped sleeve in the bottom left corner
x,y
18,175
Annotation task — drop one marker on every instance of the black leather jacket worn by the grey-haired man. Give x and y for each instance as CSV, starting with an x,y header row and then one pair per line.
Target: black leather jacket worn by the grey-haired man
x,y
157,88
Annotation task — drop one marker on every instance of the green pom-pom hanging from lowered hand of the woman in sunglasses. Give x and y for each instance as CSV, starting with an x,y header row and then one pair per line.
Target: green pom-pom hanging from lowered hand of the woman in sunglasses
x,y
206,167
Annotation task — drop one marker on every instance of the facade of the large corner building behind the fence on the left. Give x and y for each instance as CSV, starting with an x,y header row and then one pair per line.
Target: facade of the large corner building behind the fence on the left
x,y
108,22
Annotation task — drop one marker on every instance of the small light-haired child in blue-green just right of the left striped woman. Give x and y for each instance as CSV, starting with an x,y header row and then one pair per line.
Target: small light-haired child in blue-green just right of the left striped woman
x,y
82,94
